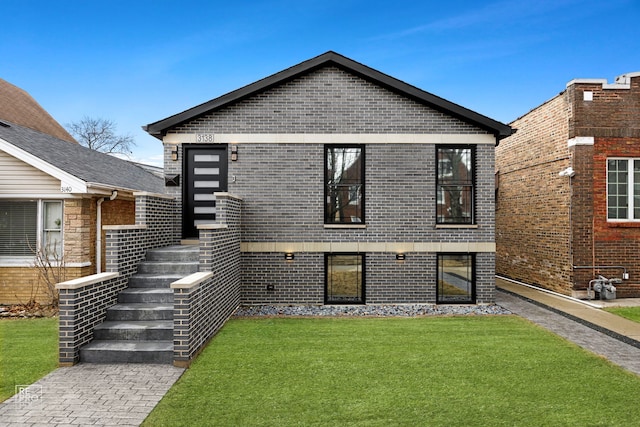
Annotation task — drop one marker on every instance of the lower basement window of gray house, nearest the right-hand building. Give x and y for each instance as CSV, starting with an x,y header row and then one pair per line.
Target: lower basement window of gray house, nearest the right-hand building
x,y
456,279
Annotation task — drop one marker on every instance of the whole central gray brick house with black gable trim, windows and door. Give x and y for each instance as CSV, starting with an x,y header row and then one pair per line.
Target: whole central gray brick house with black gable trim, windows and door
x,y
340,169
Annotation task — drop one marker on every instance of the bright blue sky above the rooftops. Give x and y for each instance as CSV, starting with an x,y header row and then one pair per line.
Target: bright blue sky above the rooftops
x,y
137,62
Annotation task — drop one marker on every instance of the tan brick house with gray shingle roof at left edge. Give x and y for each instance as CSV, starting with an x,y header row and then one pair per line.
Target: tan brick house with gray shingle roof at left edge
x,y
54,196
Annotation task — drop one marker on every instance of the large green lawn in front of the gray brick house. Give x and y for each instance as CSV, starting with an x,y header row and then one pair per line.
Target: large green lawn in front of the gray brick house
x,y
454,371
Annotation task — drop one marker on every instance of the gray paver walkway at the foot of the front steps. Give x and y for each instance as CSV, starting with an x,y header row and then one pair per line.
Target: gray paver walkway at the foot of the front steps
x,y
91,394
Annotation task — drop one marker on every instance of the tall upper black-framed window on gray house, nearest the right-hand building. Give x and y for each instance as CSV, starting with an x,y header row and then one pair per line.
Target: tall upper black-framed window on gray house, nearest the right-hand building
x,y
455,185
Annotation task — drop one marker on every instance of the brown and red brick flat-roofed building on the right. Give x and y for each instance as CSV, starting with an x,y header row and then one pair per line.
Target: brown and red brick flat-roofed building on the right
x,y
567,189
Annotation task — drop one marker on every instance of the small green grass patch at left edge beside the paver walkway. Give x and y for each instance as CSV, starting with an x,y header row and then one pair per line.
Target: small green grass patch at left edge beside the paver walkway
x,y
28,351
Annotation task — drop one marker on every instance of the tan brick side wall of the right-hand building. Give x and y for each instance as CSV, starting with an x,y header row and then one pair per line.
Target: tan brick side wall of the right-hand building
x,y
533,215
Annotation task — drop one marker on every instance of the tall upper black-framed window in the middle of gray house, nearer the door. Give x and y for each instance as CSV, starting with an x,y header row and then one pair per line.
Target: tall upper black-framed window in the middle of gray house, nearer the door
x,y
344,184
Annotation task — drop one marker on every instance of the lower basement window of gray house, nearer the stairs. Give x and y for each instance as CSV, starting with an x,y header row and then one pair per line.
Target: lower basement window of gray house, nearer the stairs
x,y
344,279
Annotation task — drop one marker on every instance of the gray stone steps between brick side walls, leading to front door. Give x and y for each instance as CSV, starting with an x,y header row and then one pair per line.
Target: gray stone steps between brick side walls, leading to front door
x,y
139,329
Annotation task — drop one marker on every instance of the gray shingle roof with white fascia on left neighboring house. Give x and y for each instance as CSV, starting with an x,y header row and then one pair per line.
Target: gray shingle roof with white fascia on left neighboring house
x,y
81,165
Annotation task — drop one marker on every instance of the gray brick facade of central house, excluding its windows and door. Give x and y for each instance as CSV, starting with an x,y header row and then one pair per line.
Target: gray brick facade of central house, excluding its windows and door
x,y
281,180
